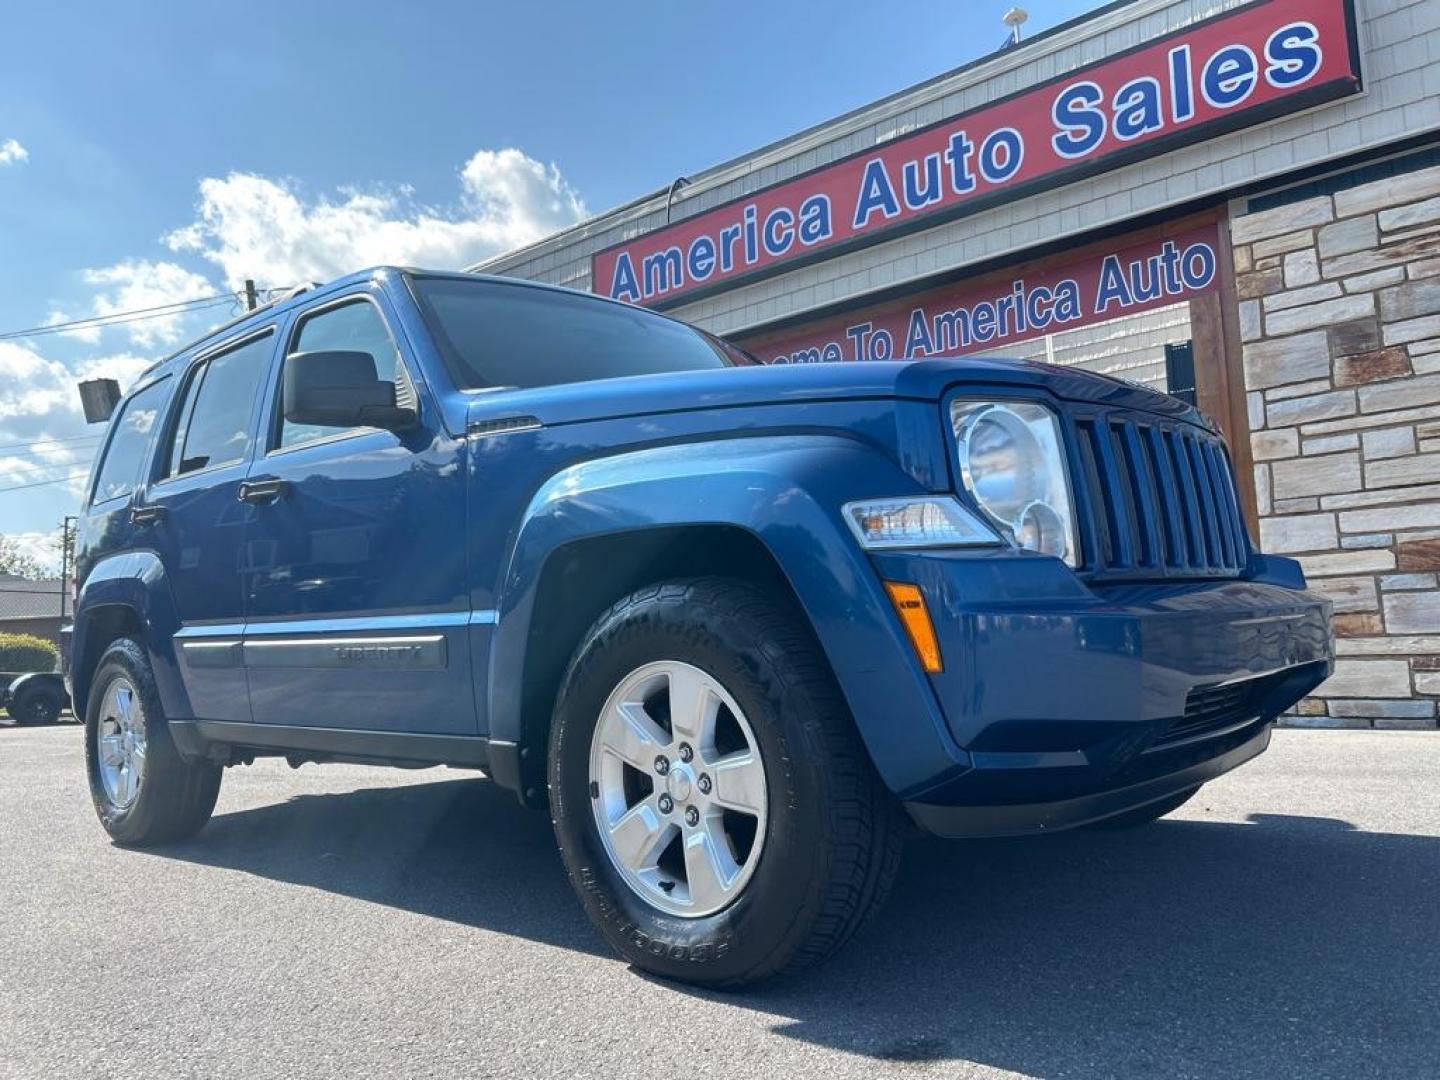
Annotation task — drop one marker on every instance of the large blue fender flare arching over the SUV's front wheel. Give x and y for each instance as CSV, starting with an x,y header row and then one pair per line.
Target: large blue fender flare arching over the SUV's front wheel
x,y
787,492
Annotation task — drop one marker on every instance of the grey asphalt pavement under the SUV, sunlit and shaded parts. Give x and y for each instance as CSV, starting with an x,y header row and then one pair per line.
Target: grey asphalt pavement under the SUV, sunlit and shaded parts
x,y
351,922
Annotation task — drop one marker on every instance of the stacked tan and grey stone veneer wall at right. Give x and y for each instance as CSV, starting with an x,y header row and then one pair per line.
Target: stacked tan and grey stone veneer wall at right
x,y
1340,313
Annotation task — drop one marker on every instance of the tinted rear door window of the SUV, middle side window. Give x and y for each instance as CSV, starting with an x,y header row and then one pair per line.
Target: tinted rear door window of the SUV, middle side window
x,y
215,417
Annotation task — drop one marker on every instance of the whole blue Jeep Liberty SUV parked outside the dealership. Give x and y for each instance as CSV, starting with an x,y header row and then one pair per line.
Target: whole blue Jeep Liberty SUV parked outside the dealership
x,y
737,626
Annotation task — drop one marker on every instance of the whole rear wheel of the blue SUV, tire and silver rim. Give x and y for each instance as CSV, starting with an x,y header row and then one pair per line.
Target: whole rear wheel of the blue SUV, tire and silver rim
x,y
143,790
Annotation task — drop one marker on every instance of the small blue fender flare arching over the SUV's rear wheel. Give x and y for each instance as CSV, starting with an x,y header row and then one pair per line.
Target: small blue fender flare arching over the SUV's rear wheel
x,y
135,581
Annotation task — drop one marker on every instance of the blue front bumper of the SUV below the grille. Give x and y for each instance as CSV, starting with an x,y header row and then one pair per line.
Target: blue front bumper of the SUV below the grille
x,y
1075,702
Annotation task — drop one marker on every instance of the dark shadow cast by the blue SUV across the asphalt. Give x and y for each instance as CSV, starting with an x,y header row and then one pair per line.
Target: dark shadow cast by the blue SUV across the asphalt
x,y
1284,947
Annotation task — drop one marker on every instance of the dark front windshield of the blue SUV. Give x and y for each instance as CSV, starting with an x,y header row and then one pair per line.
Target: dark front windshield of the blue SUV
x,y
500,335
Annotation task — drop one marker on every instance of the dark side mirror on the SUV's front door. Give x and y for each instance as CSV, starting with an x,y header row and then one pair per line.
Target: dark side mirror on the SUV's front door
x,y
341,390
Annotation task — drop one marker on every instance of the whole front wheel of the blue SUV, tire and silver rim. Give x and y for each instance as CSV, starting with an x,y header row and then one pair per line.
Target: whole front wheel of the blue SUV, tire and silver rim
x,y
714,804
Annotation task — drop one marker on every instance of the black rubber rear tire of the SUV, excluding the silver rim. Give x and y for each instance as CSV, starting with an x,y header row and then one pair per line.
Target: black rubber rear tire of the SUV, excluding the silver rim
x,y
176,797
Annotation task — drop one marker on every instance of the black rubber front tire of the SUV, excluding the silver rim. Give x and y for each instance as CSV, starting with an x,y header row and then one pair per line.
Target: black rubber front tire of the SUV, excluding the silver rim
x,y
833,839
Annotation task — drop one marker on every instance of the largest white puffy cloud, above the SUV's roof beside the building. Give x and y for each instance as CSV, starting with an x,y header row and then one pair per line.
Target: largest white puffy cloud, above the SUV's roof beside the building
x,y
253,227
